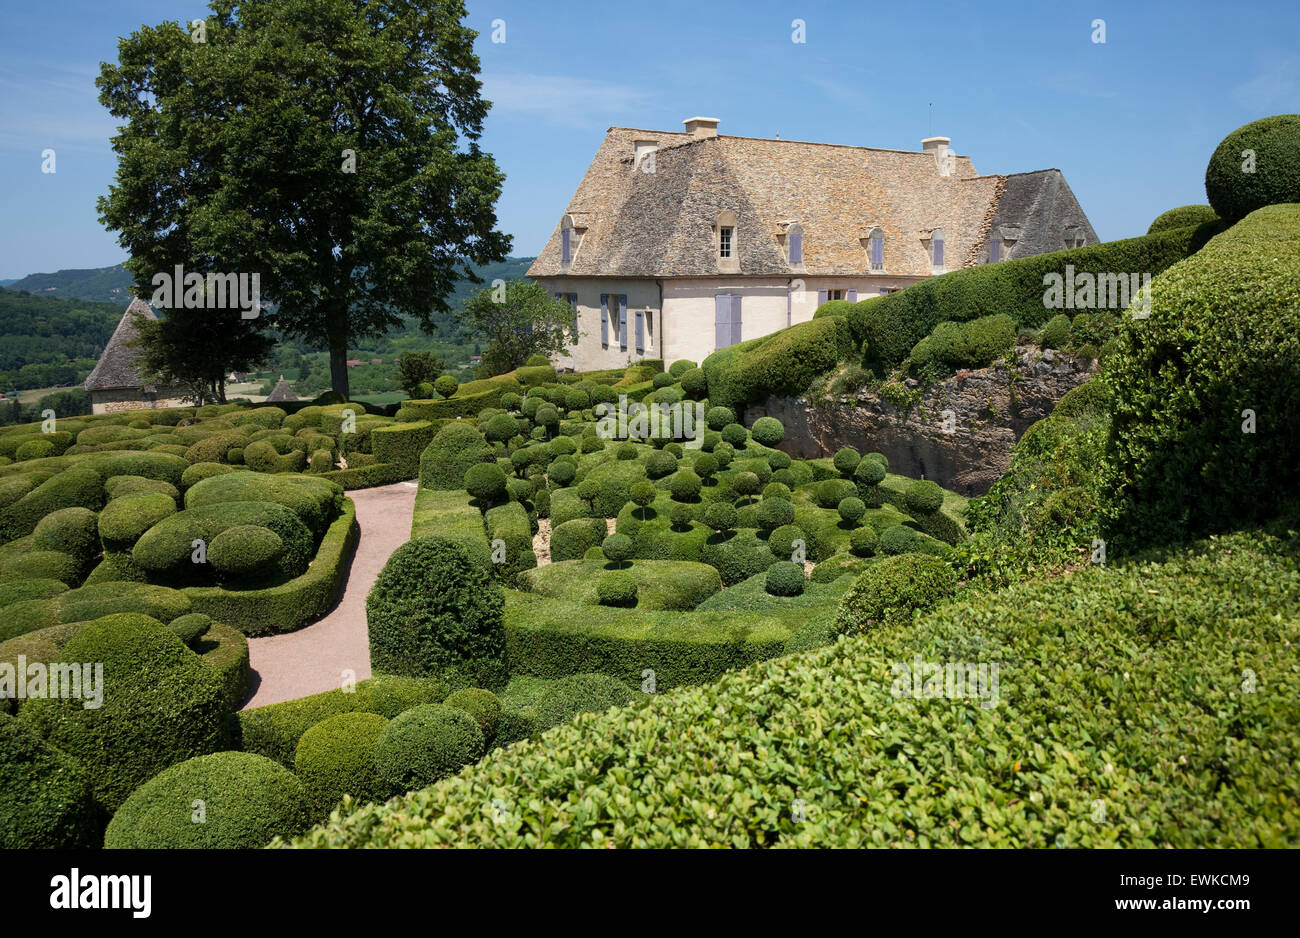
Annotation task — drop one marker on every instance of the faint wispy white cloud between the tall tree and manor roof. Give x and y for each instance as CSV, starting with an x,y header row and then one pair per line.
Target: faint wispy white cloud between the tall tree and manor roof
x,y
564,101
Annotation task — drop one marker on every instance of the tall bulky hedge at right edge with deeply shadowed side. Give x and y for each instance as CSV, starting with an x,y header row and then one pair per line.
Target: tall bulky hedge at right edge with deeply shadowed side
x,y
1186,384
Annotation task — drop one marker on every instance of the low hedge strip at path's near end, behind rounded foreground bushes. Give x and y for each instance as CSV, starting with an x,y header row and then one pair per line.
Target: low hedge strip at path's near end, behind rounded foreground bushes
x,y
275,731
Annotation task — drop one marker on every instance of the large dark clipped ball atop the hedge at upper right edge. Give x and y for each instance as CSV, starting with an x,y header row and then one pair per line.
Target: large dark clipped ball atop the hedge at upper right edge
x,y
1233,192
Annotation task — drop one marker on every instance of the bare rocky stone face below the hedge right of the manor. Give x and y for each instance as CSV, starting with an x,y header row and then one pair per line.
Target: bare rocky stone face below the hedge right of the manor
x,y
959,432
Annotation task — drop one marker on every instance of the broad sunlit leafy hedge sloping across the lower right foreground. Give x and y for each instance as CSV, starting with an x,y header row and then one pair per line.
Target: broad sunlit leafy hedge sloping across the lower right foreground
x,y
1094,672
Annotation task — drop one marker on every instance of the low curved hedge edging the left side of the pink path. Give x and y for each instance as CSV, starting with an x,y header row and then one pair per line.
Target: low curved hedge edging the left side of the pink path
x,y
296,603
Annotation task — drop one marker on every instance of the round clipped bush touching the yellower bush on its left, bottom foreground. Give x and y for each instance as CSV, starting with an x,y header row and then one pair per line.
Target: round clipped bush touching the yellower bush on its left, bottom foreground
x,y
427,744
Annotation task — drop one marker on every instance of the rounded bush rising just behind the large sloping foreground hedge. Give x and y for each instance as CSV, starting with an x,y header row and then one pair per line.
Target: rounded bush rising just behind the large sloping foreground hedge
x,y
892,592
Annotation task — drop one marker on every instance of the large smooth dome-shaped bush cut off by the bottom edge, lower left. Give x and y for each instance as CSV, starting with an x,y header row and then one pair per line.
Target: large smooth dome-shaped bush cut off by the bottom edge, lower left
x,y
246,801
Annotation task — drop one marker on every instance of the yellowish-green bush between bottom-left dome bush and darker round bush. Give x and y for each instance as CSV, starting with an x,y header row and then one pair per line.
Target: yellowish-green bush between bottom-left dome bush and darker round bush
x,y
336,758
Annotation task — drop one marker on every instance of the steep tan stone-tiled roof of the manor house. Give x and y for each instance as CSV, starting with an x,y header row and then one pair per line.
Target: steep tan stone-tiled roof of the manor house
x,y
661,224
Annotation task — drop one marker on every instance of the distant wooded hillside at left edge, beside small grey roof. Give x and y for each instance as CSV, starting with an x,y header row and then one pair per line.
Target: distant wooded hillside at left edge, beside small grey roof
x,y
47,342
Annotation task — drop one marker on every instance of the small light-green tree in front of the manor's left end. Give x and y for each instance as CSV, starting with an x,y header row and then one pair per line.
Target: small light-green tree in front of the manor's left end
x,y
518,319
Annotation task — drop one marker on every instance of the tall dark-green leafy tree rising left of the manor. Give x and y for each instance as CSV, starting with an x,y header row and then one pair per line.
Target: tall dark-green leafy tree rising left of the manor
x,y
328,146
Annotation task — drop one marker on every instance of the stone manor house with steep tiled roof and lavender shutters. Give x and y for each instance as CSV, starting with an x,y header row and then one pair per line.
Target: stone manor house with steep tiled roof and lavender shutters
x,y
678,245
